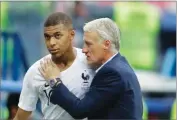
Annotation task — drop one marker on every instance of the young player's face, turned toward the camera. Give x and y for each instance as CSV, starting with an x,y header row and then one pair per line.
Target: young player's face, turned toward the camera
x,y
58,39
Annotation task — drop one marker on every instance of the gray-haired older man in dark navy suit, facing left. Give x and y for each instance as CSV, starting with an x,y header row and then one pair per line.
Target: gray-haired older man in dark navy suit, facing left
x,y
114,92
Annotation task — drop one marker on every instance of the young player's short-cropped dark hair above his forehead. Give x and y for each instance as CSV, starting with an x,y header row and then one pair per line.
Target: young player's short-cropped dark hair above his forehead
x,y
58,18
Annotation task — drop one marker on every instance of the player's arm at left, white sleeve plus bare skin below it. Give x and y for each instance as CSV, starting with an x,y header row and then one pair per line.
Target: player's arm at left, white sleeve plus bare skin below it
x,y
28,97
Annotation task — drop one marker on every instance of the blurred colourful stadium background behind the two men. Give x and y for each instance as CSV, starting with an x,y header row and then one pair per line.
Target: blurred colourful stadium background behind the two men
x,y
148,41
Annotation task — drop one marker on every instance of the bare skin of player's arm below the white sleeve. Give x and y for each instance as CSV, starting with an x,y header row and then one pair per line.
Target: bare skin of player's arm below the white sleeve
x,y
22,114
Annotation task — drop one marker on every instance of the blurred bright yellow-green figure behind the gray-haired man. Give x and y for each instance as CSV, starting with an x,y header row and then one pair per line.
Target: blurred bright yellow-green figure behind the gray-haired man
x,y
139,24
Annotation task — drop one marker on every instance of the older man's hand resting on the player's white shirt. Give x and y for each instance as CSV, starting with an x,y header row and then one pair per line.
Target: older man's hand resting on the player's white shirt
x,y
48,69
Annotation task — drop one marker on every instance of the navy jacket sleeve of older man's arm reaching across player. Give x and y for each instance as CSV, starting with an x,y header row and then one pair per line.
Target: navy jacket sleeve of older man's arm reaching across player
x,y
99,95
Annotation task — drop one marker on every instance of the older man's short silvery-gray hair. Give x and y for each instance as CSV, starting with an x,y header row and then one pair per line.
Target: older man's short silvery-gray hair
x,y
107,29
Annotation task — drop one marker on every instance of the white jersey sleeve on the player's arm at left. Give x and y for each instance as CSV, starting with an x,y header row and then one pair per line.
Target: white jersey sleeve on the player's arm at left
x,y
29,95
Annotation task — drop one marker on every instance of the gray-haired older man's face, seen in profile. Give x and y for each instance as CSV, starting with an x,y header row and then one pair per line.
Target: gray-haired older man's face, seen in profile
x,y
93,48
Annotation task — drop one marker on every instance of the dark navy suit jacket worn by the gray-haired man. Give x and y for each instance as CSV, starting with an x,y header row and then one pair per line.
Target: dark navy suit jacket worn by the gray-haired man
x,y
114,94
